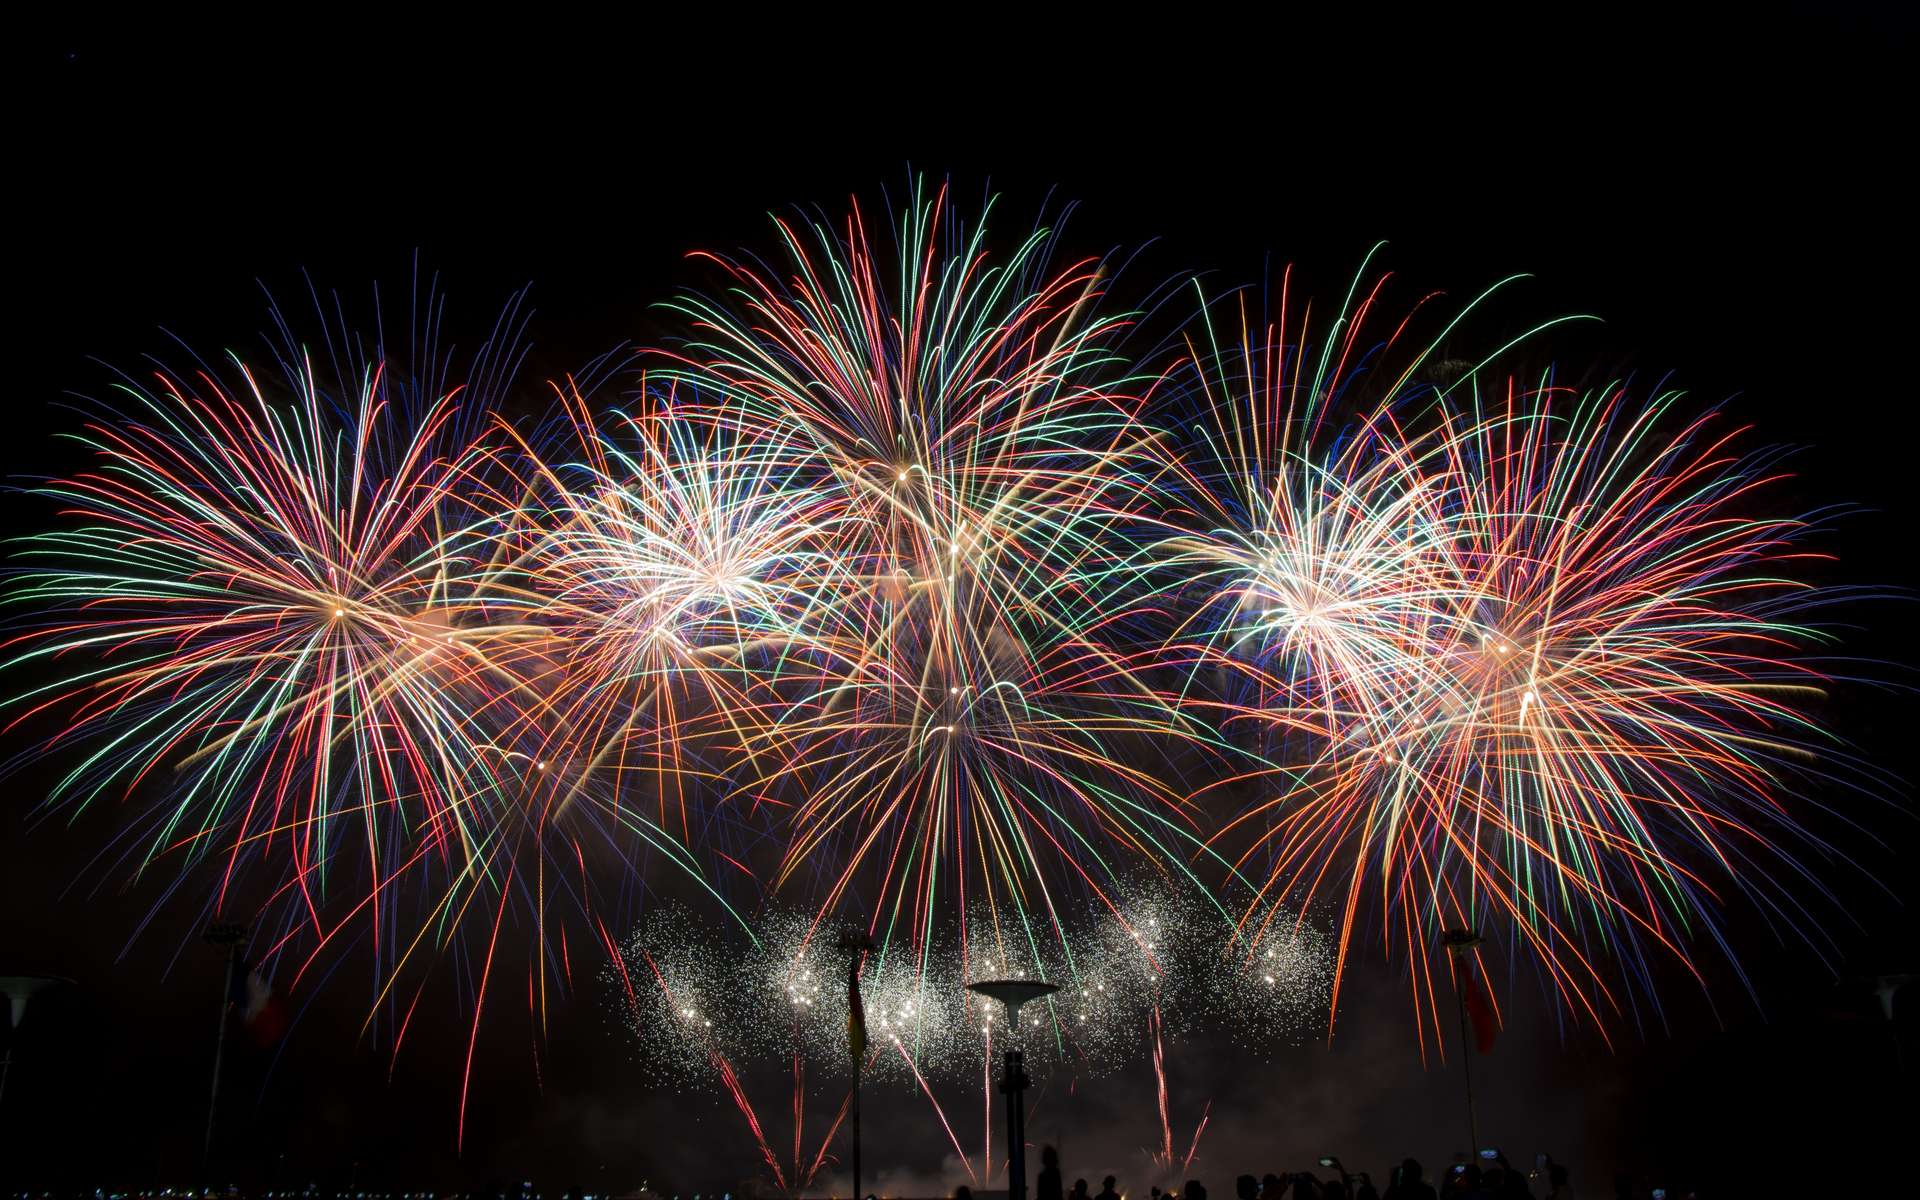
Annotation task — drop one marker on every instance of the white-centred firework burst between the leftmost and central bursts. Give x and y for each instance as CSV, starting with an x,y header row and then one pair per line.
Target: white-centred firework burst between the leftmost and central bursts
x,y
684,585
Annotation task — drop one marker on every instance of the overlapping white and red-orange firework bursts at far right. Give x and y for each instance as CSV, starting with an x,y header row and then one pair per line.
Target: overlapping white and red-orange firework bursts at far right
x,y
1512,667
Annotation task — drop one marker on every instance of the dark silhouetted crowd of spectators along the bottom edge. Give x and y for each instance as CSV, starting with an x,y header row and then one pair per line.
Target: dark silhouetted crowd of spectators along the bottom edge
x,y
1487,1176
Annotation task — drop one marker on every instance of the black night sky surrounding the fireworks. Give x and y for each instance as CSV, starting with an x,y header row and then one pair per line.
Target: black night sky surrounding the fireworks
x,y
1735,204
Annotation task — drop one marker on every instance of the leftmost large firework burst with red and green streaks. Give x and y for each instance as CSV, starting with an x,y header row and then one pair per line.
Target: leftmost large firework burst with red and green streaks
x,y
277,619
